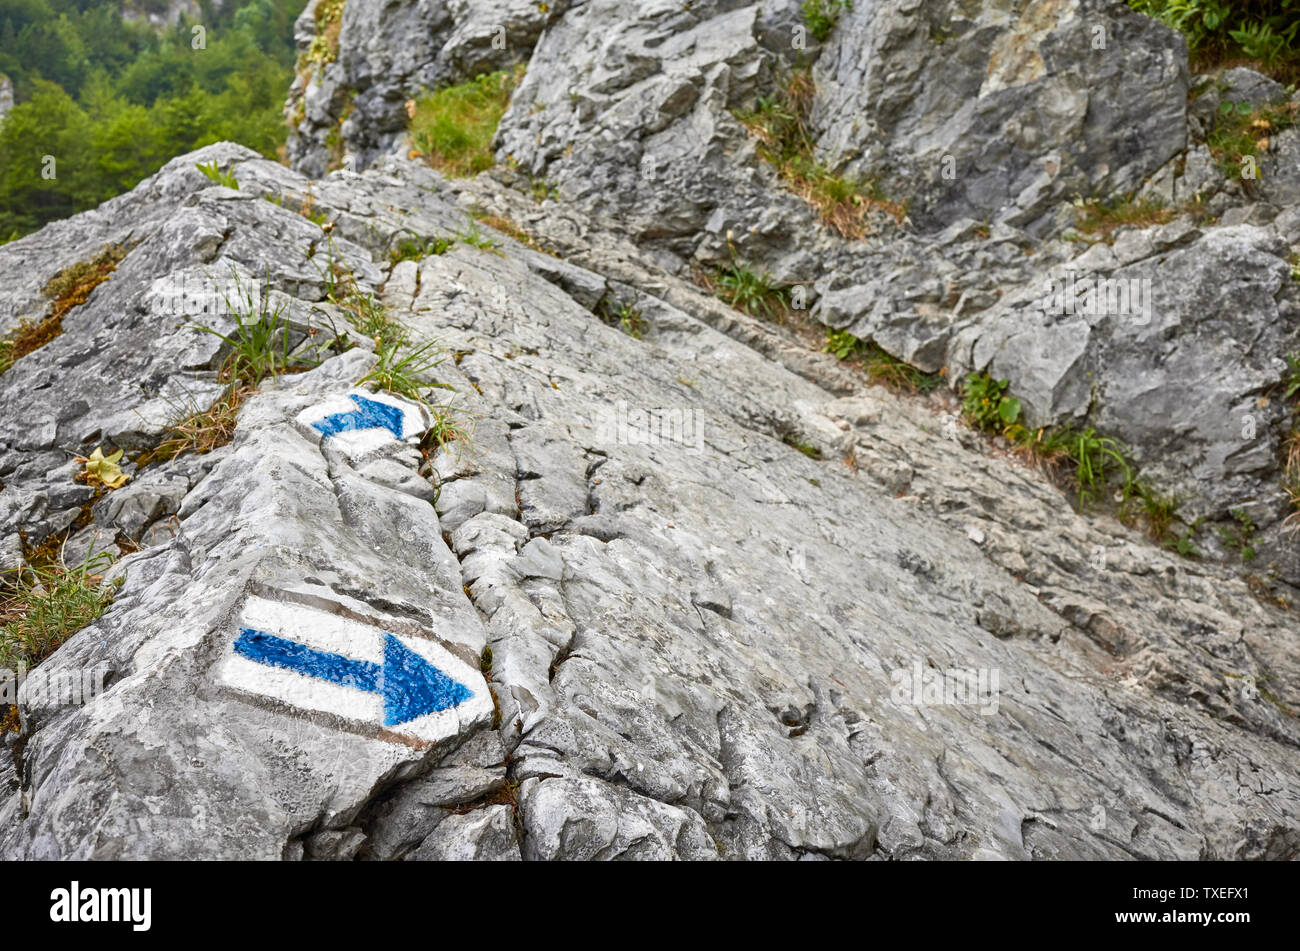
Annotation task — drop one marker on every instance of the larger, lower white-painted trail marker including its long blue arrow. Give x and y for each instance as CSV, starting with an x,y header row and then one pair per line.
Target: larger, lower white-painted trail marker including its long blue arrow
x,y
409,688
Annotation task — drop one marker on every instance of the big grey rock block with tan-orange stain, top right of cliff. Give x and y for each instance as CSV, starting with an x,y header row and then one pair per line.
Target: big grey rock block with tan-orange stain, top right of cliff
x,y
999,112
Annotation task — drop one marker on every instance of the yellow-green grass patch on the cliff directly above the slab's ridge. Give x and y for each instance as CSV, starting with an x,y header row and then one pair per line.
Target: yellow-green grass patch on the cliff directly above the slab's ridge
x,y
453,128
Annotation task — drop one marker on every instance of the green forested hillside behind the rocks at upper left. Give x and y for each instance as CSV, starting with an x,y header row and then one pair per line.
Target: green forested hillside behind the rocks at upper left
x,y
114,101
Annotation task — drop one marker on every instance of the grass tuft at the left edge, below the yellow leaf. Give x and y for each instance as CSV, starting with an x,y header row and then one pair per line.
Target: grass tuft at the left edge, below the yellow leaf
x,y
51,605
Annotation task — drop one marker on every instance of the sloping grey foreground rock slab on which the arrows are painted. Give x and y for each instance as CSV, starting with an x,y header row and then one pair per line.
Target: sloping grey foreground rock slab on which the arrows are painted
x,y
705,644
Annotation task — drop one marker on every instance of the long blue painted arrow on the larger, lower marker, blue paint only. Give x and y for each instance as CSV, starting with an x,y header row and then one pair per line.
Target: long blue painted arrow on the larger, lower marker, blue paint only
x,y
411,687
